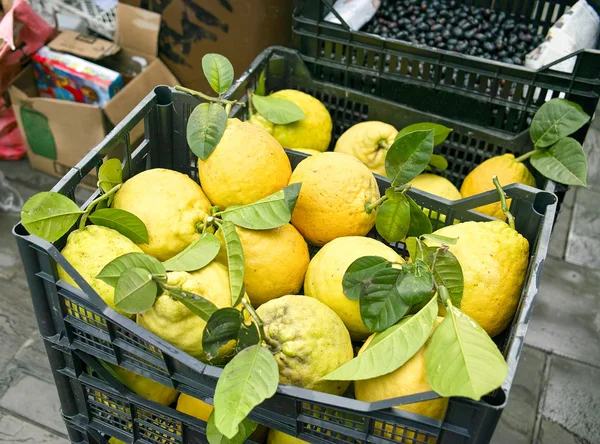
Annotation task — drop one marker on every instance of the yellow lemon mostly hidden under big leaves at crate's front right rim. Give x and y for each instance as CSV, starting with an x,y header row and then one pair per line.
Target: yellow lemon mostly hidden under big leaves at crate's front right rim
x,y
409,379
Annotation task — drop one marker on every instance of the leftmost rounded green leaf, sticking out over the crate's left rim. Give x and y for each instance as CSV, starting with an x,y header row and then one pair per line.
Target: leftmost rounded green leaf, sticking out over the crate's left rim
x,y
49,215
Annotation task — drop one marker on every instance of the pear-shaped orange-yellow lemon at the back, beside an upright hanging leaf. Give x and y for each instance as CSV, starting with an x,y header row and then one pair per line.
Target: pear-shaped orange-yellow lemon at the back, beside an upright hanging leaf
x,y
247,165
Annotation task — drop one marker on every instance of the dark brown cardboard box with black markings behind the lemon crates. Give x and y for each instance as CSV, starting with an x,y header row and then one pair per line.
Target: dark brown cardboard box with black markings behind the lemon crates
x,y
237,29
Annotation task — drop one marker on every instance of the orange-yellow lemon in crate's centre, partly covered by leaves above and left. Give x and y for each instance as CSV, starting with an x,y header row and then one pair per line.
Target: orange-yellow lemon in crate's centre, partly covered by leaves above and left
x,y
275,262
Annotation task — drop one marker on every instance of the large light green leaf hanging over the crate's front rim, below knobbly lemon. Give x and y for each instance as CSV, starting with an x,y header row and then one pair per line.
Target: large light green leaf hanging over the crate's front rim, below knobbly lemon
x,y
251,377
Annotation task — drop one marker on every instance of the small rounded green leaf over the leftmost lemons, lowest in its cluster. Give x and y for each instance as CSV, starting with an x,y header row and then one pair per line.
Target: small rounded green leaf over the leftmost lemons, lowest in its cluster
x,y
135,291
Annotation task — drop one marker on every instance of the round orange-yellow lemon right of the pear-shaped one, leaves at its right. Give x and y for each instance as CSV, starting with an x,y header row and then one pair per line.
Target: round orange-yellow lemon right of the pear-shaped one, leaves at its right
x,y
335,189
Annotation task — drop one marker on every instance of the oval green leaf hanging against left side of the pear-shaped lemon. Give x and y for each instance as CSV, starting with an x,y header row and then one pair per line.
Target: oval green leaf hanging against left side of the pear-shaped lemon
x,y
205,128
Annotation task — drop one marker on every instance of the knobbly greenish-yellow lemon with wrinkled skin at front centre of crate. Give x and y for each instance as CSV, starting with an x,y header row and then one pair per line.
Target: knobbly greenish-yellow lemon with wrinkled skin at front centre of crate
x,y
309,341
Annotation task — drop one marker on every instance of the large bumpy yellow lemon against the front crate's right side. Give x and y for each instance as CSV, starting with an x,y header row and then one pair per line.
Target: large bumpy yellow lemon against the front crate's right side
x,y
493,258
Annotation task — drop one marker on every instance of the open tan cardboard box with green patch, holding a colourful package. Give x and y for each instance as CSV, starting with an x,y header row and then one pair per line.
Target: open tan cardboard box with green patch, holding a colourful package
x,y
59,133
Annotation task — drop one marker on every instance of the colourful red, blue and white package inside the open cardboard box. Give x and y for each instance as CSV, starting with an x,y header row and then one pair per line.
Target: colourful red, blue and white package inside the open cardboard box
x,y
63,76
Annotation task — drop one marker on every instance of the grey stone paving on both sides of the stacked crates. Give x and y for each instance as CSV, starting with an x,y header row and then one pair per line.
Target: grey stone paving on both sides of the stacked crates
x,y
556,393
